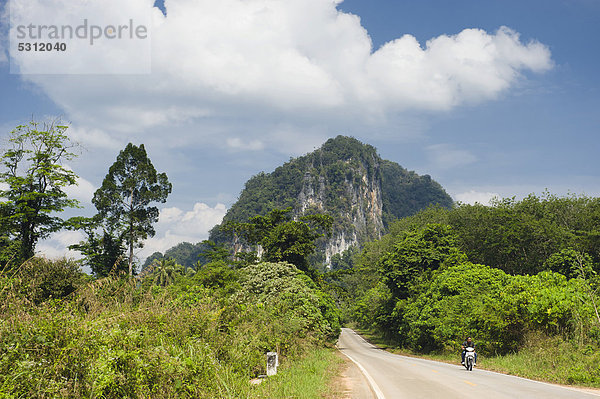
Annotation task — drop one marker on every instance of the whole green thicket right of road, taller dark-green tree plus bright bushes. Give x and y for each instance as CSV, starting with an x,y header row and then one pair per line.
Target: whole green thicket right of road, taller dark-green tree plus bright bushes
x,y
433,297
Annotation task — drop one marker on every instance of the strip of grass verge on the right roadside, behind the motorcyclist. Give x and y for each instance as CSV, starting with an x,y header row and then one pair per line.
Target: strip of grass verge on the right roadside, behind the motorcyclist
x,y
542,358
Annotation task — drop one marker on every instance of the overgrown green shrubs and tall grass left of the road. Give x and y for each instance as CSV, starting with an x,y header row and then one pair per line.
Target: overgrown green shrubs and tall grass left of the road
x,y
113,338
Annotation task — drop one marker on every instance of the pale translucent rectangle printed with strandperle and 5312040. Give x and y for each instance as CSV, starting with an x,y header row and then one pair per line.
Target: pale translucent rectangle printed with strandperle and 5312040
x,y
99,37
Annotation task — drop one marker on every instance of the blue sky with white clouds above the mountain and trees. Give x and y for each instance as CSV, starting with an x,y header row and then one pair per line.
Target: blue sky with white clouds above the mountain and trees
x,y
490,98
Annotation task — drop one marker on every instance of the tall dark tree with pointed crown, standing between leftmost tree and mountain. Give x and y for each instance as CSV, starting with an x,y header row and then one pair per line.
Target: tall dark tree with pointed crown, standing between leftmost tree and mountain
x,y
131,184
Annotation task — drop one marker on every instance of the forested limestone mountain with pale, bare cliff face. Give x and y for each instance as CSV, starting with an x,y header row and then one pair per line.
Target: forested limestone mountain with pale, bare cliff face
x,y
347,180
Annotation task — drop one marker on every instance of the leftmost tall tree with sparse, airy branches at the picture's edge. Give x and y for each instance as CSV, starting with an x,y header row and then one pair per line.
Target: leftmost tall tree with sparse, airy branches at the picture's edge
x,y
35,178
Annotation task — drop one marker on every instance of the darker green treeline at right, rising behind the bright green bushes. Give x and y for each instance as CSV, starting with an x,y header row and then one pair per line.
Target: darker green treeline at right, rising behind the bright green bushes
x,y
518,236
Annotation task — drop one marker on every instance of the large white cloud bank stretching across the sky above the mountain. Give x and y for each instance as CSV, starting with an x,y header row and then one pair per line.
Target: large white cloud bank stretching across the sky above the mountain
x,y
213,60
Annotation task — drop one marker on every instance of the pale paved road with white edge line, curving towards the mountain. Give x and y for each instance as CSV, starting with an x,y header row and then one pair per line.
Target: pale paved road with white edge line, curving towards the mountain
x,y
394,376
